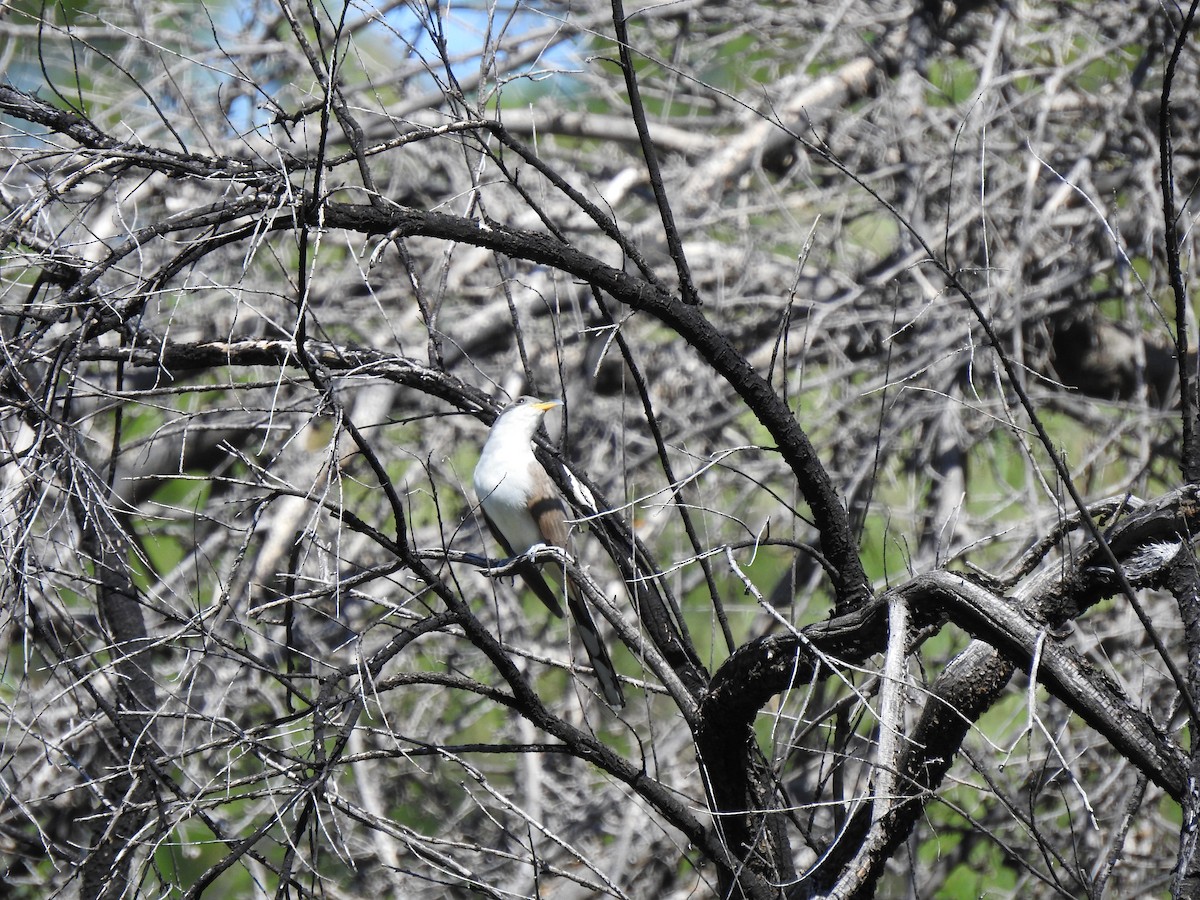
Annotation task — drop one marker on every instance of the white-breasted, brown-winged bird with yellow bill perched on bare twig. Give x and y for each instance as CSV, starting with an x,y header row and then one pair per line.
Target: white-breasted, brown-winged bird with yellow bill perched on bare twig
x,y
523,509
